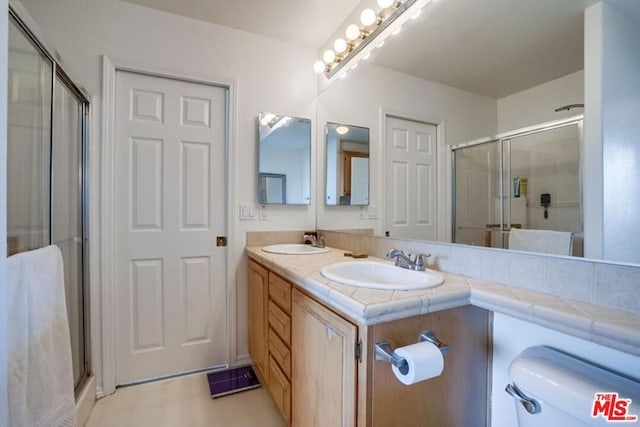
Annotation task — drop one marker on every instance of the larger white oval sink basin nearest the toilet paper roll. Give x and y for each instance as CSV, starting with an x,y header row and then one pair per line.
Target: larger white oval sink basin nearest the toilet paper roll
x,y
371,274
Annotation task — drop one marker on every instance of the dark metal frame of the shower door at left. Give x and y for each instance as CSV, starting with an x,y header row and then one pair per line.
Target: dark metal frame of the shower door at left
x,y
58,74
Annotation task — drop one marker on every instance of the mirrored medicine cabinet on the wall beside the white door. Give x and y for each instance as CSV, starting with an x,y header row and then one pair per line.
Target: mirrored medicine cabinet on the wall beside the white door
x,y
284,164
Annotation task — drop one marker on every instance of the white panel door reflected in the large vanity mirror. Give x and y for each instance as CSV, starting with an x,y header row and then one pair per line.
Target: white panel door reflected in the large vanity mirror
x,y
410,193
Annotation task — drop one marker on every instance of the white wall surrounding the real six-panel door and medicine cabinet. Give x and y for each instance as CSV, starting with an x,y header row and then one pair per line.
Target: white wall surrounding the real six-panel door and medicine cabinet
x,y
269,76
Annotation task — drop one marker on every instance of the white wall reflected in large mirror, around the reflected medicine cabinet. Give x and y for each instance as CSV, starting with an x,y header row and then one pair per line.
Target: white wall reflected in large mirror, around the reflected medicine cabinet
x,y
362,99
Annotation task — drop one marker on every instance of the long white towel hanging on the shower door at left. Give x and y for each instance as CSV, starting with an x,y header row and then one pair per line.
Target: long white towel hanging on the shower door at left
x,y
40,378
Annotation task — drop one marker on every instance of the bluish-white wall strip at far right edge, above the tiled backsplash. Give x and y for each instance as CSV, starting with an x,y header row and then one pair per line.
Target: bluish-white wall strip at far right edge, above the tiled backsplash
x,y
621,131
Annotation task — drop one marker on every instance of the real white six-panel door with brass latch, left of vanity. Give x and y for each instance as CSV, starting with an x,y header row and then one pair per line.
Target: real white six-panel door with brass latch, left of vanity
x,y
170,206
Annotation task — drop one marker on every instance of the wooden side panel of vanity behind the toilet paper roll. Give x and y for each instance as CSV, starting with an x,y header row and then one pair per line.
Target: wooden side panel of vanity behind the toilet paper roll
x,y
456,398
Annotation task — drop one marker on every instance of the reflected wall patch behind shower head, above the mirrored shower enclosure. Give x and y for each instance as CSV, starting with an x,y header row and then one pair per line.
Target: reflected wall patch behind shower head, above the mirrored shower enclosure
x,y
537,105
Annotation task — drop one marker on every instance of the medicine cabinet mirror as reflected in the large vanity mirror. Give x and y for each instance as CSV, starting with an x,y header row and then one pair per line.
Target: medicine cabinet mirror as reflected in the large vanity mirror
x,y
347,169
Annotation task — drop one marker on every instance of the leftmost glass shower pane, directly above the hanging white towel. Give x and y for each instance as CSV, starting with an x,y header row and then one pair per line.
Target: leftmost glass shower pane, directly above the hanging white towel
x,y
28,143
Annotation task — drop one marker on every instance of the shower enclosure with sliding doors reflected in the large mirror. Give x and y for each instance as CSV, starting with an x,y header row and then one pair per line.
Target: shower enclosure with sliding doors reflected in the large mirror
x,y
523,179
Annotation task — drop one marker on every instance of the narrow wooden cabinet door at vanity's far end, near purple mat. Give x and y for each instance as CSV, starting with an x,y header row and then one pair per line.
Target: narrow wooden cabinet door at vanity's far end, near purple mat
x,y
258,310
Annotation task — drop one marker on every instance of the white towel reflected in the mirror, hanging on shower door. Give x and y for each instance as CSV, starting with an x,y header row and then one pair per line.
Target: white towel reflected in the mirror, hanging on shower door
x,y
545,241
